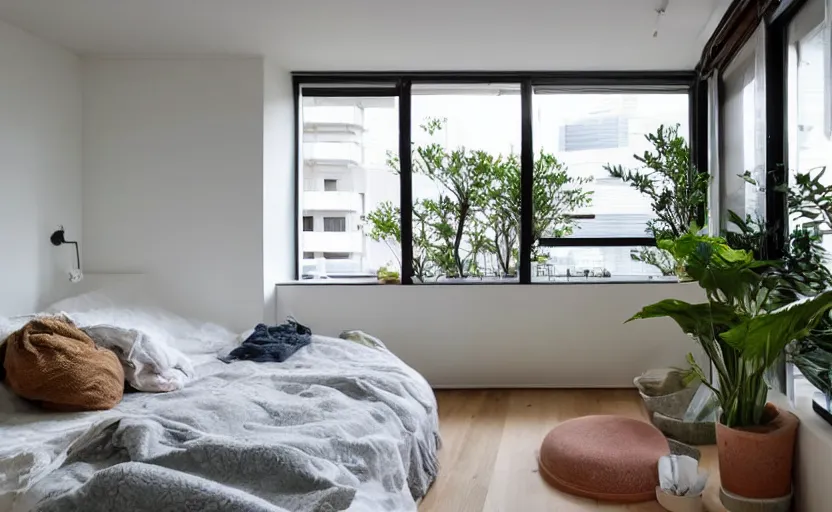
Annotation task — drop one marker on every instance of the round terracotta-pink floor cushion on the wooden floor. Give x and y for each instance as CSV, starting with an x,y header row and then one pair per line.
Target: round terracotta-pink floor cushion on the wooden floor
x,y
609,458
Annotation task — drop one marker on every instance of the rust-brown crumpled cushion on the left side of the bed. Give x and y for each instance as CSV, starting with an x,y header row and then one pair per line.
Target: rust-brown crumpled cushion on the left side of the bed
x,y
53,362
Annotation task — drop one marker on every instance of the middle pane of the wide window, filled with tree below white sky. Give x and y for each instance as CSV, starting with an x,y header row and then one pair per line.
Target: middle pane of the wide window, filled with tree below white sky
x,y
466,181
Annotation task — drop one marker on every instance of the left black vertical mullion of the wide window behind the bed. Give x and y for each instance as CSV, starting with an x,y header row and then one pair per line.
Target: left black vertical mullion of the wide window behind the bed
x,y
406,180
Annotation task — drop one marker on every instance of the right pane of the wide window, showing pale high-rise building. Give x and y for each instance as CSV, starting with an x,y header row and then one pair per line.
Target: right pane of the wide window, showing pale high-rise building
x,y
577,136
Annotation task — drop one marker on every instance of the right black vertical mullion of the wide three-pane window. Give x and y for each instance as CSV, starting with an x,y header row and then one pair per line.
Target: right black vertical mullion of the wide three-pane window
x,y
526,182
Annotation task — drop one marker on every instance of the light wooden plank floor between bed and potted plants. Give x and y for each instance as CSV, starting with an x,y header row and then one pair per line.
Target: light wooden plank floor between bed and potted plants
x,y
490,442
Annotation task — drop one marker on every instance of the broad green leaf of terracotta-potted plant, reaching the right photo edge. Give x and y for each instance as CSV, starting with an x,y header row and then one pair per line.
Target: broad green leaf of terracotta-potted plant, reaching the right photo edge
x,y
765,336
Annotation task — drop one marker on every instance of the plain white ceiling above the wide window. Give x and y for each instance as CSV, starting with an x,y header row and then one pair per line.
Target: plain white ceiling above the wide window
x,y
386,34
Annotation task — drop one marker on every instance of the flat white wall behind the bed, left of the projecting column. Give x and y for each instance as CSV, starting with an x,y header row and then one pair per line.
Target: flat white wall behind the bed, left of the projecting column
x,y
173,180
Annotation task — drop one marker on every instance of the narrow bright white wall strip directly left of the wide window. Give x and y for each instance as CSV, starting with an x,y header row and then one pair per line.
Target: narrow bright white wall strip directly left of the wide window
x,y
278,183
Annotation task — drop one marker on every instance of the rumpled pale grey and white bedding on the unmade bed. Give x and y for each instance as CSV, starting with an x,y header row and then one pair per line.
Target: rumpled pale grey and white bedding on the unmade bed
x,y
339,426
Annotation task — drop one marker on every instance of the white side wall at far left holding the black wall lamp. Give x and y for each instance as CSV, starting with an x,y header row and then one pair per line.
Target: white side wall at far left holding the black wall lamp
x,y
40,168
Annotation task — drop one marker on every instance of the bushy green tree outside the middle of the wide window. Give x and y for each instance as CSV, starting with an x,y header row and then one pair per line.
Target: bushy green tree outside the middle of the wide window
x,y
476,216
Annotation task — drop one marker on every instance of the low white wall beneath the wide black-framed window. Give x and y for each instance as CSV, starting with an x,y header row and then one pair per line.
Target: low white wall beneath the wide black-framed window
x,y
504,335
